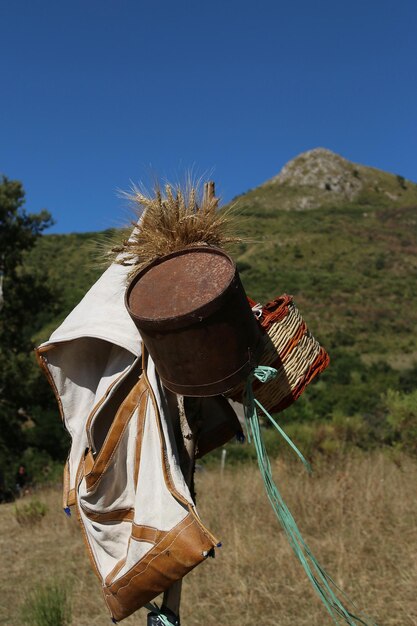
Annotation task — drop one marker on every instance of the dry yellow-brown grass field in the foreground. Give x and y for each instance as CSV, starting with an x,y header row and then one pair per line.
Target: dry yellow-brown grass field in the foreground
x,y
359,516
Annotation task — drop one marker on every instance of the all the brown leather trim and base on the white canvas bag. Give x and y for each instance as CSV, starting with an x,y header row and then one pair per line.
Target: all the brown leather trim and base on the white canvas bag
x,y
174,553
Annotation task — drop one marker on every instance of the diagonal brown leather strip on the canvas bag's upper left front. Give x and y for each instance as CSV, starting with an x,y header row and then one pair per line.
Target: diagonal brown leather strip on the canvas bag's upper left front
x,y
95,470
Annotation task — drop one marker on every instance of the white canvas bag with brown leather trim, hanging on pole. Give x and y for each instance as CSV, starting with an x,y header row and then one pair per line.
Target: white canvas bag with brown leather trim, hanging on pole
x,y
138,518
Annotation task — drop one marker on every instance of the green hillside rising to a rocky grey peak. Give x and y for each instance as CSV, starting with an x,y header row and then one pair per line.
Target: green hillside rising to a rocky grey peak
x,y
351,265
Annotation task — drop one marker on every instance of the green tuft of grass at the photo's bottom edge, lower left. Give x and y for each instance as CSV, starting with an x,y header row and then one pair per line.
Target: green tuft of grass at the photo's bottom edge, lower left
x,y
48,605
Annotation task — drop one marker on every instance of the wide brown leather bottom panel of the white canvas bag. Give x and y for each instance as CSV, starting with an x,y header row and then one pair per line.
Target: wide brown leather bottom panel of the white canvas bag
x,y
177,552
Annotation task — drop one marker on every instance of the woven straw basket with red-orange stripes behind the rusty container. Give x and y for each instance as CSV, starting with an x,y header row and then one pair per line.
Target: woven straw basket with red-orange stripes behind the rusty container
x,y
291,349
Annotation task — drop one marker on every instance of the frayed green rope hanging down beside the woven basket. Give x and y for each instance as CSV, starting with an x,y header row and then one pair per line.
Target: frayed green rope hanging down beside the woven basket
x,y
321,581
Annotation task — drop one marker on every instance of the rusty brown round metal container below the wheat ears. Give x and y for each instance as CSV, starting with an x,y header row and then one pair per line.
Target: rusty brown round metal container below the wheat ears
x,y
194,318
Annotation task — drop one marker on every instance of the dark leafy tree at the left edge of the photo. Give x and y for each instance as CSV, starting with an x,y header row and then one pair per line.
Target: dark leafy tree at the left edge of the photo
x,y
23,295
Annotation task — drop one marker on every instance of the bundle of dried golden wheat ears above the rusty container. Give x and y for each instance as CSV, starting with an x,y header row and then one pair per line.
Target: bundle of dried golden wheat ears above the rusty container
x,y
173,219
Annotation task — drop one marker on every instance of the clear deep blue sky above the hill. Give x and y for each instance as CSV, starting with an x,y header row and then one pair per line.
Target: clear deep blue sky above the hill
x,y
98,93
